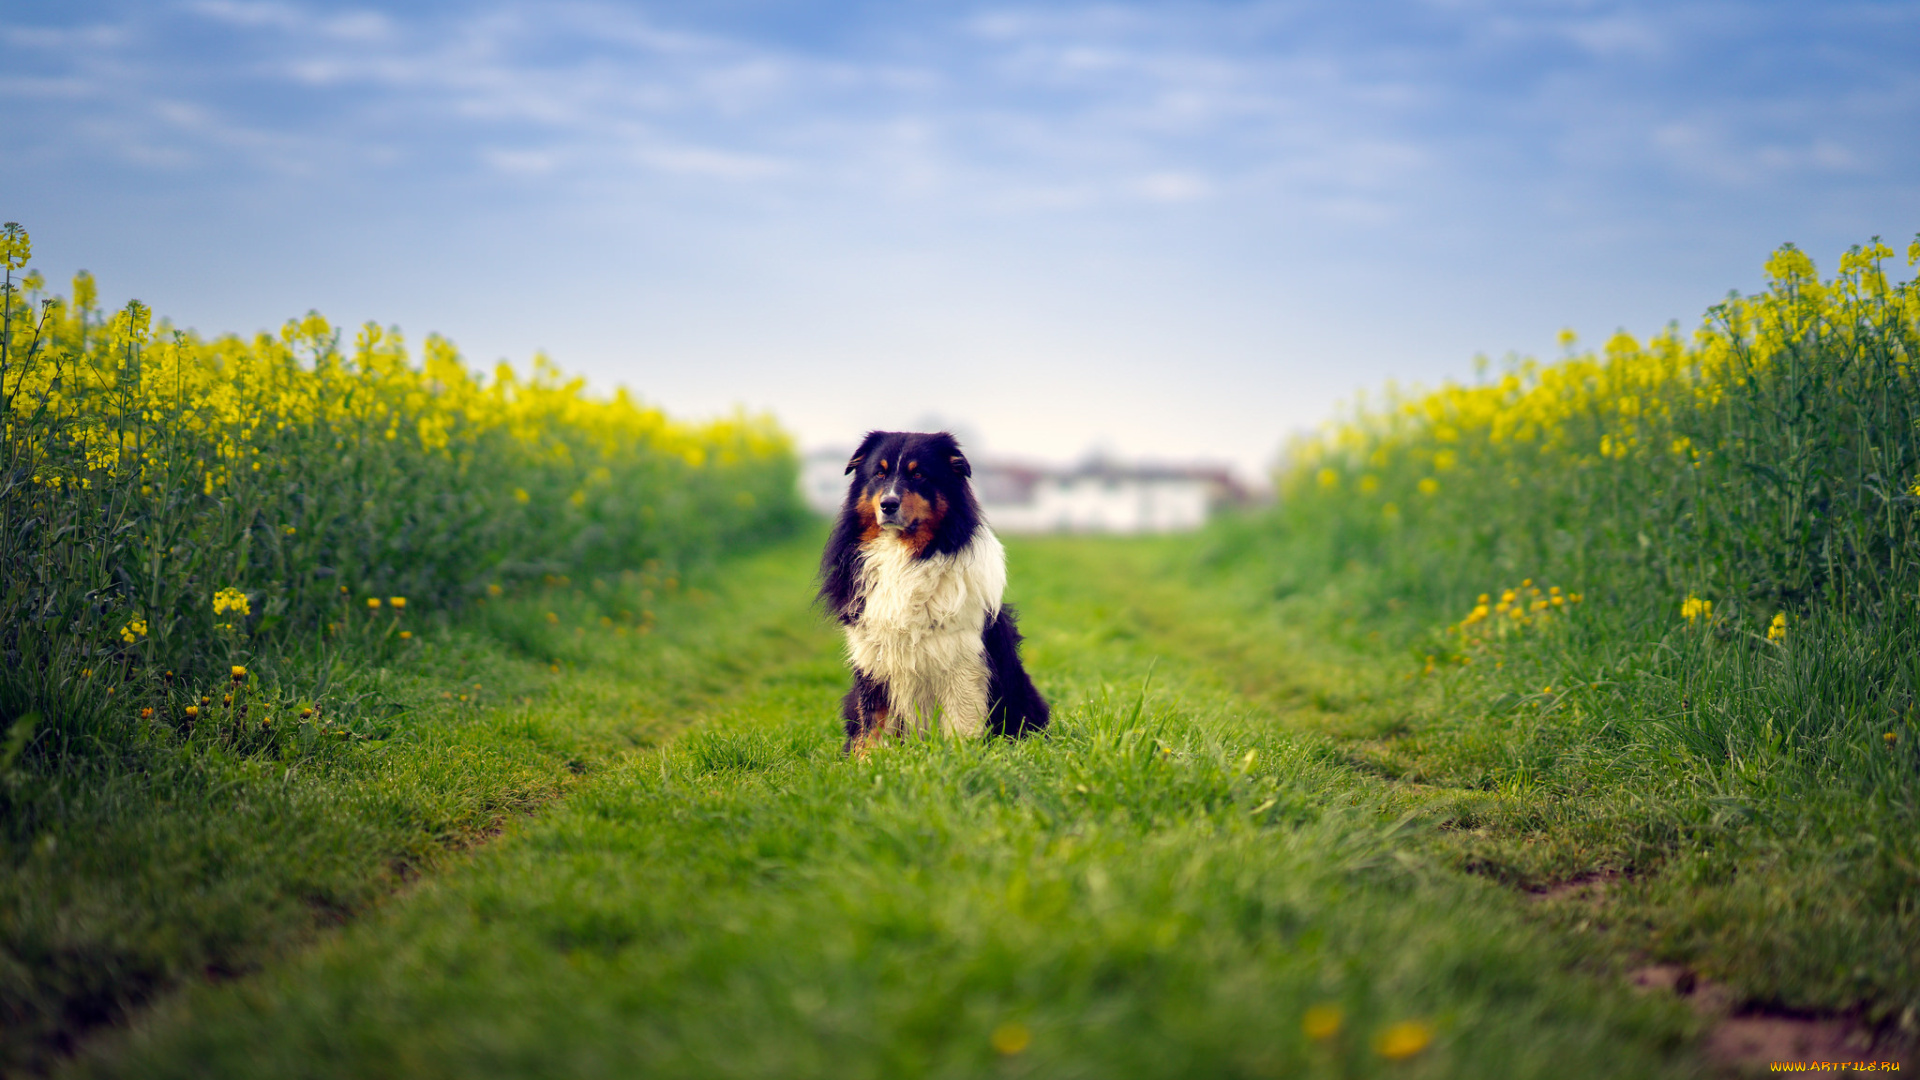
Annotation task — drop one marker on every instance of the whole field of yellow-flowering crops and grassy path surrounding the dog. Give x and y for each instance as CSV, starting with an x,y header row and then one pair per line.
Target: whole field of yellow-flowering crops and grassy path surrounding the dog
x,y
370,716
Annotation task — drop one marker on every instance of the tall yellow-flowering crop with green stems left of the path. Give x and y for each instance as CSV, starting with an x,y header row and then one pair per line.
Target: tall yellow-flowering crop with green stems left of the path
x,y
174,508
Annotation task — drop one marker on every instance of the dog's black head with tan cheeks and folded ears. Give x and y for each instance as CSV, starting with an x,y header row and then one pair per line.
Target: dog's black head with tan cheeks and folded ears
x,y
913,485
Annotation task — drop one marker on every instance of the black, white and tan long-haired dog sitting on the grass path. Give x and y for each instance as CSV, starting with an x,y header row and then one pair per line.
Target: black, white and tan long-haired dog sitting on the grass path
x,y
915,577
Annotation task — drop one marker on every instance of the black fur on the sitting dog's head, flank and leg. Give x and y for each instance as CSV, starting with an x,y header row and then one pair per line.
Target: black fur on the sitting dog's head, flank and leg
x,y
944,478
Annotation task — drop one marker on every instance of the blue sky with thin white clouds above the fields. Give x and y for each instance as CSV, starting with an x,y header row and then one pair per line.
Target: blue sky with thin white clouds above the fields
x,y
1157,230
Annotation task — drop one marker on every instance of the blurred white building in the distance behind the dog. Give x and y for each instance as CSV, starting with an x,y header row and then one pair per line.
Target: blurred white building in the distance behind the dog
x,y
1099,497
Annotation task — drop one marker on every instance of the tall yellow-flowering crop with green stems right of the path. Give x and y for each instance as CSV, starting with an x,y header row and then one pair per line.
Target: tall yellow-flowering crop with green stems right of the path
x,y
1739,516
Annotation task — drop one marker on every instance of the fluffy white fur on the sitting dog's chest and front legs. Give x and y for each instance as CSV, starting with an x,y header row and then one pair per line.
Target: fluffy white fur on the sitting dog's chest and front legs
x,y
921,631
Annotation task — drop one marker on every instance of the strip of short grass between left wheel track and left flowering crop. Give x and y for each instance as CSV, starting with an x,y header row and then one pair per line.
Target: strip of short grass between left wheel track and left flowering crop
x,y
176,862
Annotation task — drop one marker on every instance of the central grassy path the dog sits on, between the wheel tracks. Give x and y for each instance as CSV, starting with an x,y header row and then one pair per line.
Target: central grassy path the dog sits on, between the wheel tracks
x,y
1189,877
